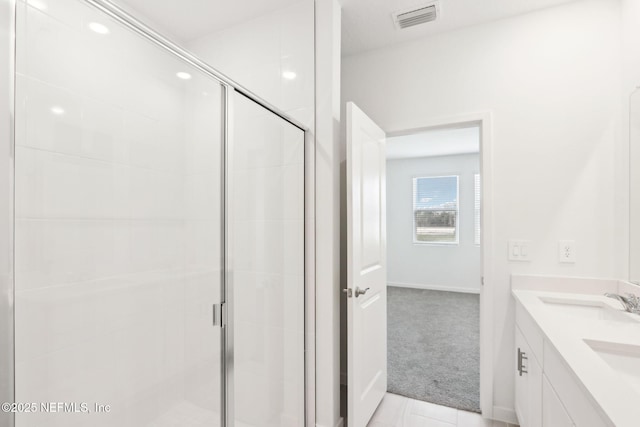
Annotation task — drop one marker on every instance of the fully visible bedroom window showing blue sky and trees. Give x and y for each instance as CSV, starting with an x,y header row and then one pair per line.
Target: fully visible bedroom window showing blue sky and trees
x,y
435,209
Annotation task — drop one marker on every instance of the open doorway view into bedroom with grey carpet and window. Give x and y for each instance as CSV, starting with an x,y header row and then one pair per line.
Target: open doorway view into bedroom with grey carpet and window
x,y
434,262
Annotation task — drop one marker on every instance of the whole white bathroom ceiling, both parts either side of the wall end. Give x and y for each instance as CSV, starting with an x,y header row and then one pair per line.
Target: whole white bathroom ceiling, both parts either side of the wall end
x,y
366,24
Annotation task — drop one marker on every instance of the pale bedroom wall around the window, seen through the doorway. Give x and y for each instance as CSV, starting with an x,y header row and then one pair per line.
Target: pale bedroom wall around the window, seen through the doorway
x,y
454,267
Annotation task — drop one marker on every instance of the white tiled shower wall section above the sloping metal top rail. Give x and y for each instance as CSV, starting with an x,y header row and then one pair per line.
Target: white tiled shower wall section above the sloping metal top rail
x,y
273,56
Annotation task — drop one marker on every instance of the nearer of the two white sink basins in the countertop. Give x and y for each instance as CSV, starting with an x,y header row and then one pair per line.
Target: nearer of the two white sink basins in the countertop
x,y
622,358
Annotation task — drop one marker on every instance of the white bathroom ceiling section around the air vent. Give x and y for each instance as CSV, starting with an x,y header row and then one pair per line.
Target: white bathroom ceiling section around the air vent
x,y
367,24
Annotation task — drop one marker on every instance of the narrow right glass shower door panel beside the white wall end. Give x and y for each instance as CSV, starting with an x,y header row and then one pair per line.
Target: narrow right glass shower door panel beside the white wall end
x,y
266,268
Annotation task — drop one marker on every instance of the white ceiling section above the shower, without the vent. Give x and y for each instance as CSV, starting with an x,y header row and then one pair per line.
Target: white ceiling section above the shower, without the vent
x,y
186,20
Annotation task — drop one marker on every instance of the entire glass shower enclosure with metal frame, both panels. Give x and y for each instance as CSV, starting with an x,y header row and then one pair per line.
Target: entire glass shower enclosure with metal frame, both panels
x,y
158,233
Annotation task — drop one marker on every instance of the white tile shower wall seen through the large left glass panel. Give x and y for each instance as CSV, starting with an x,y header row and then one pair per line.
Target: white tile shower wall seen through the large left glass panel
x,y
117,225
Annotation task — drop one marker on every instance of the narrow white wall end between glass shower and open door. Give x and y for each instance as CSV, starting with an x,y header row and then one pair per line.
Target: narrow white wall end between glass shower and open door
x,y
327,213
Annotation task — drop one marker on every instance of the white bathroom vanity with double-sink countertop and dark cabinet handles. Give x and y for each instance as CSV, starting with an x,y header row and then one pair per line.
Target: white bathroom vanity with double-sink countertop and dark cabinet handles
x,y
577,353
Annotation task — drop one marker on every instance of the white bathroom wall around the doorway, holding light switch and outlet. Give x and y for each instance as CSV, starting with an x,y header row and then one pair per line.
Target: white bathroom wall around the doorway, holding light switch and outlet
x,y
551,80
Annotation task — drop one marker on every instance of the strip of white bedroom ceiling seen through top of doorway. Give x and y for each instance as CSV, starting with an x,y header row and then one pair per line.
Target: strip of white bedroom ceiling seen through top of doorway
x,y
439,142
